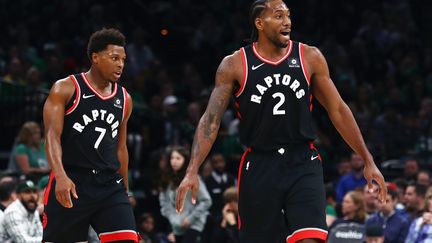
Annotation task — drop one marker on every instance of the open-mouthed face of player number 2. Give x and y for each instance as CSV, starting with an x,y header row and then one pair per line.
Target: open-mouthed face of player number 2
x,y
277,23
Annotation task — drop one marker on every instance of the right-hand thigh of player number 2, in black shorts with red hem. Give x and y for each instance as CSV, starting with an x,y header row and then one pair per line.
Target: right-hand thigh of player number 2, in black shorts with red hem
x,y
304,208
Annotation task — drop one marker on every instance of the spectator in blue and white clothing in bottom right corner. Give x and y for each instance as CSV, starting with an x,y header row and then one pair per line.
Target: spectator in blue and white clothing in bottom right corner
x,y
420,230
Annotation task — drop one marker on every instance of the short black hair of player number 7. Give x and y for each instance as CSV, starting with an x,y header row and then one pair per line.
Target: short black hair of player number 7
x,y
100,39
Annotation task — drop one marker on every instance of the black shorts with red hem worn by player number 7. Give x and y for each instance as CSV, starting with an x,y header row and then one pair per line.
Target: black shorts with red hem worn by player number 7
x,y
102,203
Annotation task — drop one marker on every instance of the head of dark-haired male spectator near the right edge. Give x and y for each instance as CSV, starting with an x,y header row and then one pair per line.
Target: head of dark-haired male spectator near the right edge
x,y
415,200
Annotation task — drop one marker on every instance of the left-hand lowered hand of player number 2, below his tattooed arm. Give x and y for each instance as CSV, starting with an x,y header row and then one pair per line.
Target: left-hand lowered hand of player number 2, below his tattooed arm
x,y
189,182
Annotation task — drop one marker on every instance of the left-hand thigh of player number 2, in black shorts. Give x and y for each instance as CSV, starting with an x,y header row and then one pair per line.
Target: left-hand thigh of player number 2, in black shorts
x,y
260,200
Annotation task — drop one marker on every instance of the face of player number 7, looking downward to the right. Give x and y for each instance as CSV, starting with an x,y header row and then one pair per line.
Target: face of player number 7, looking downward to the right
x,y
111,62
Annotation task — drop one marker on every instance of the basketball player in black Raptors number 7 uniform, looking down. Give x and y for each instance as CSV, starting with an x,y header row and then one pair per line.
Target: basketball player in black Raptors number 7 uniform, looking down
x,y
85,119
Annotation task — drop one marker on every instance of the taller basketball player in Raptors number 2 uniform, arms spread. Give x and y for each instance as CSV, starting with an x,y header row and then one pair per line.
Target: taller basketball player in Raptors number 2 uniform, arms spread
x,y
281,191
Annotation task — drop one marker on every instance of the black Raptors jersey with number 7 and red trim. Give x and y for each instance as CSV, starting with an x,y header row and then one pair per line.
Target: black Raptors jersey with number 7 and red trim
x,y
92,125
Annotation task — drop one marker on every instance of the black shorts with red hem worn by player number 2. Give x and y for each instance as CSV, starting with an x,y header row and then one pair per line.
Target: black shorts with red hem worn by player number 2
x,y
281,195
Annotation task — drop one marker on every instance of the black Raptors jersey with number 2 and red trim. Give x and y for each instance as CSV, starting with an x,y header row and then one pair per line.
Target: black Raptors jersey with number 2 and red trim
x,y
274,100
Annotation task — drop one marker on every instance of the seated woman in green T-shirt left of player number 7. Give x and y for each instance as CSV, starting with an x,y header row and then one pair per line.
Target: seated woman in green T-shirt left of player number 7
x,y
28,156
